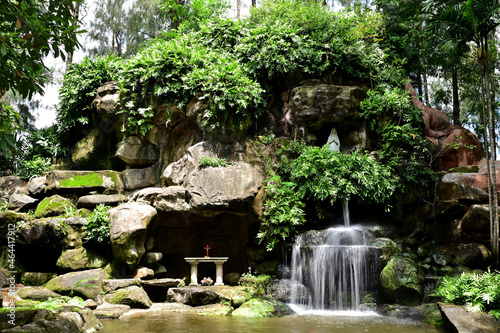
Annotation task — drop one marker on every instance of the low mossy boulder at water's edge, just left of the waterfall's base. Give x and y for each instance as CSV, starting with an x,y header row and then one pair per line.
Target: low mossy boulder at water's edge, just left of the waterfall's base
x,y
261,307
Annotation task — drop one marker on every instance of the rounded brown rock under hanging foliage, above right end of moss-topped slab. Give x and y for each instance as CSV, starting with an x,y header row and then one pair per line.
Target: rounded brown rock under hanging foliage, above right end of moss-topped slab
x,y
136,153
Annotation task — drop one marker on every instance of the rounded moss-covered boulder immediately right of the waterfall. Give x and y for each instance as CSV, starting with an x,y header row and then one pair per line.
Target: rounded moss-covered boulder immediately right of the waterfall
x,y
402,282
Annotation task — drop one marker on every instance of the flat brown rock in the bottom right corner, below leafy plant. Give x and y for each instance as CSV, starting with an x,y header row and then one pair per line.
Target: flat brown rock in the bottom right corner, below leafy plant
x,y
459,320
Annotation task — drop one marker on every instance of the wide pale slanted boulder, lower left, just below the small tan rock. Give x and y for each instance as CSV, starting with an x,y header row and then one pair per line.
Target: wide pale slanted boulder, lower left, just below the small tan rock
x,y
87,284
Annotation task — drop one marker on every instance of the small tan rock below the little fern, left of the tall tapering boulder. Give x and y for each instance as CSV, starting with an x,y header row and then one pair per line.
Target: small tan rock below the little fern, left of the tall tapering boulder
x,y
80,258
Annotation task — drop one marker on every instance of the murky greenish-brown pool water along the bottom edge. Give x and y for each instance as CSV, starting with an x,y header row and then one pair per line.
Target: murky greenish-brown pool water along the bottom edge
x,y
193,323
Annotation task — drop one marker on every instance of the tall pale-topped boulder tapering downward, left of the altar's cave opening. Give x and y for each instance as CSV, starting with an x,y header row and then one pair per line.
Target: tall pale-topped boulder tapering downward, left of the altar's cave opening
x,y
129,223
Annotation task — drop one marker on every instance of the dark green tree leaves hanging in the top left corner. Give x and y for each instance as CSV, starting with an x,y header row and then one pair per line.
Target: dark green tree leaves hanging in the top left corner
x,y
29,31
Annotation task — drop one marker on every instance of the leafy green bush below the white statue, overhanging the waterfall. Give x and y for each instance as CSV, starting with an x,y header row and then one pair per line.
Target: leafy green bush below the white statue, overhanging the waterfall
x,y
322,175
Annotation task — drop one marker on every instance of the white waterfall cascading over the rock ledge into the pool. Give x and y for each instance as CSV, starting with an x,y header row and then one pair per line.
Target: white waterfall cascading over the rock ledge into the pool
x,y
336,266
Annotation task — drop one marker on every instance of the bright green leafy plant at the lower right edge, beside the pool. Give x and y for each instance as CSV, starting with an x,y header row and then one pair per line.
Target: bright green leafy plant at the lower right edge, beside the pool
x,y
478,292
